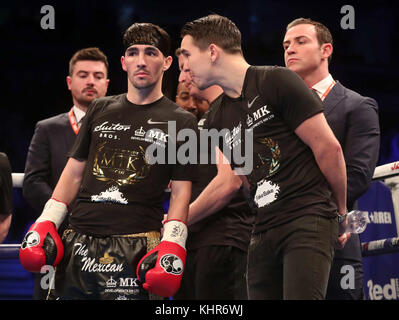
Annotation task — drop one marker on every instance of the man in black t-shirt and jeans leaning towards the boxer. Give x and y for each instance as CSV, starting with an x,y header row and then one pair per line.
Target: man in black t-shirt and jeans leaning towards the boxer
x,y
298,181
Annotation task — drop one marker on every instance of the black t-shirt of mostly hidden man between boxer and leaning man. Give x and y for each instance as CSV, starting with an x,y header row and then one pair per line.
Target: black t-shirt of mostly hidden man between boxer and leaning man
x,y
229,226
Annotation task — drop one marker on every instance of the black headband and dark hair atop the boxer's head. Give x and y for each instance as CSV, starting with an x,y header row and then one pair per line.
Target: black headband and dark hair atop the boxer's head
x,y
147,33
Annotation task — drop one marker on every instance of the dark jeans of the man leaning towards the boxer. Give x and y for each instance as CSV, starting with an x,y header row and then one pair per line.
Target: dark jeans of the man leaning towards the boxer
x,y
292,261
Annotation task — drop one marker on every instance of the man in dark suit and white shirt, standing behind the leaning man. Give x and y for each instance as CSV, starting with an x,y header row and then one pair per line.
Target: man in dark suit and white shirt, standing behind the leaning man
x,y
308,47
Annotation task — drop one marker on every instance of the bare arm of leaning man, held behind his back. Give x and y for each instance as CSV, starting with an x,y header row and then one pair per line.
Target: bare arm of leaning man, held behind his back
x,y
317,134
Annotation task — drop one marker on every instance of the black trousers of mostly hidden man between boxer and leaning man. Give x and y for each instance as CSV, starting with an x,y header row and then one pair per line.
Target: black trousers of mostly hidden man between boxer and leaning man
x,y
214,273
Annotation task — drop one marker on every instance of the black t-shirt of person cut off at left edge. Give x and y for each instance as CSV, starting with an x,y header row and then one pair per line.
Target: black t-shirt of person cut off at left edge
x,y
6,202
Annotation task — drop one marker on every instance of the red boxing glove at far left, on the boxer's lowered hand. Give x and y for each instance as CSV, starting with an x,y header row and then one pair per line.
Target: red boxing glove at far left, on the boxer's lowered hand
x,y
41,246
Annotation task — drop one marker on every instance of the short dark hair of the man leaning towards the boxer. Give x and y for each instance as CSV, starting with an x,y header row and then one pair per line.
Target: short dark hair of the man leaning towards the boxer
x,y
214,29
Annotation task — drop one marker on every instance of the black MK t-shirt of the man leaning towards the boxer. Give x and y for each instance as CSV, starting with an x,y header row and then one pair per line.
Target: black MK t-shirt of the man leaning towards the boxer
x,y
285,180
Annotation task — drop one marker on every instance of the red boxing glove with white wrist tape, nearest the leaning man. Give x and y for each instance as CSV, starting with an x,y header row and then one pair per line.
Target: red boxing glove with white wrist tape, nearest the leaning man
x,y
161,269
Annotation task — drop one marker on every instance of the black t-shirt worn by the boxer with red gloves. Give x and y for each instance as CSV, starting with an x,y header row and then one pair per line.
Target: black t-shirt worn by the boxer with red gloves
x,y
123,186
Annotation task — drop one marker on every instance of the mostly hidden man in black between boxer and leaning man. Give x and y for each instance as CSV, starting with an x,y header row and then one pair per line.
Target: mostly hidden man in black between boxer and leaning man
x,y
220,230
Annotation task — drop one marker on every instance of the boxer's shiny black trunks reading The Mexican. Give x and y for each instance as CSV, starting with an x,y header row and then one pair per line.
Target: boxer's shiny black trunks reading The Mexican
x,y
101,268
